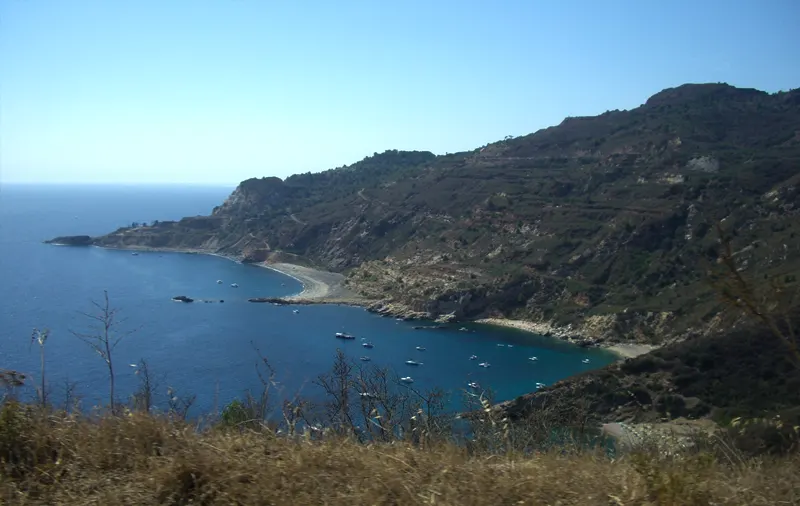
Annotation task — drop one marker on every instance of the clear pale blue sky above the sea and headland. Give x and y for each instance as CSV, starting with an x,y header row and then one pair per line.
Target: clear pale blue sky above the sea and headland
x,y
219,91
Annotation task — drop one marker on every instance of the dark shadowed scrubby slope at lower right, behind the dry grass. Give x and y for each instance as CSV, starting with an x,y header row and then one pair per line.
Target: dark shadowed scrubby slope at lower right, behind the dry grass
x,y
745,372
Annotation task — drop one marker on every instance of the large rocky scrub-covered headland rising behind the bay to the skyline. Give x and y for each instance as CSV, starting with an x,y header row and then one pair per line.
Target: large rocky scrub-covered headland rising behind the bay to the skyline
x,y
604,224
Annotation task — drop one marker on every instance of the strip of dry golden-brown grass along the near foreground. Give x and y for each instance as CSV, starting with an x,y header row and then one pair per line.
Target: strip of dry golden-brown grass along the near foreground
x,y
141,459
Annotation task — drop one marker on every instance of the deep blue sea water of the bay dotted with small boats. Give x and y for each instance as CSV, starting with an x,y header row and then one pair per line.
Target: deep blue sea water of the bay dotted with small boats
x,y
207,349
